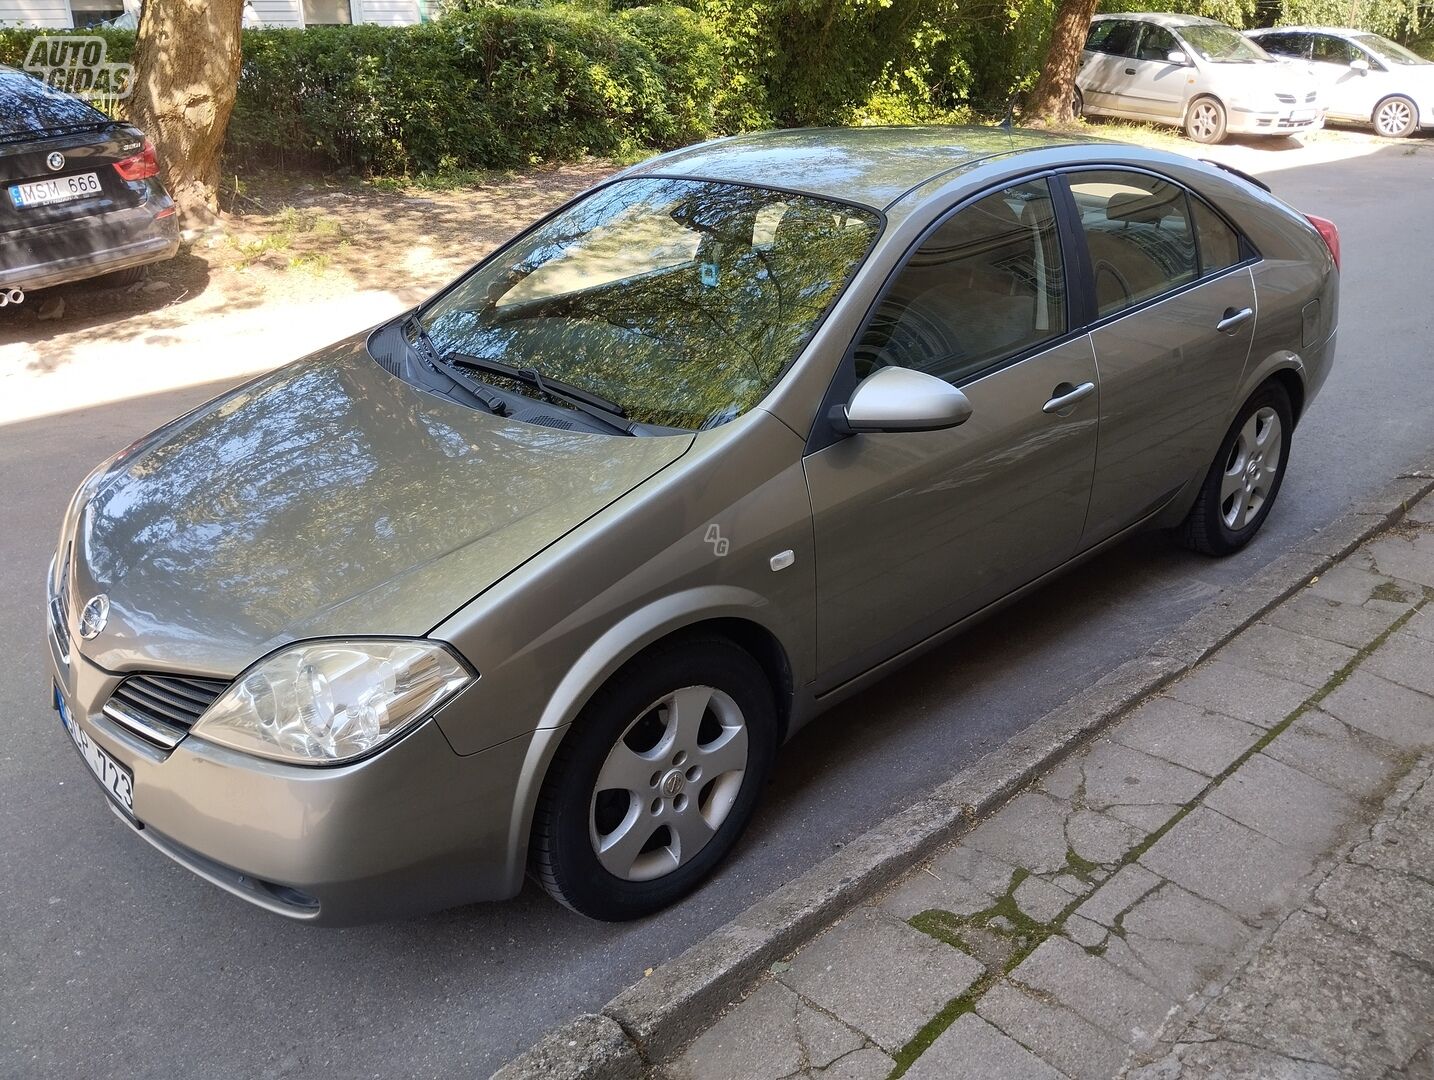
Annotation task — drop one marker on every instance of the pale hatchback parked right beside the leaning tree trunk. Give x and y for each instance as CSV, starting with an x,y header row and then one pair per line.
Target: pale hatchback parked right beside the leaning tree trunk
x,y
1198,74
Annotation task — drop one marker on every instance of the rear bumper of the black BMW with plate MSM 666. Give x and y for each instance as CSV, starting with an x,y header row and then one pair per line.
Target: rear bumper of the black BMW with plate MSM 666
x,y
87,247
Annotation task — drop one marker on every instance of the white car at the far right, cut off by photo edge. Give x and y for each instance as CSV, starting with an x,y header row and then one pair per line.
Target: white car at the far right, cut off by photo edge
x,y
1363,78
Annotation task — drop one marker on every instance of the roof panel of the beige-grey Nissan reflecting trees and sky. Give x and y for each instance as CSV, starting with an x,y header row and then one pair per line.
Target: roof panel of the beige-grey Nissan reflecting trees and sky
x,y
874,167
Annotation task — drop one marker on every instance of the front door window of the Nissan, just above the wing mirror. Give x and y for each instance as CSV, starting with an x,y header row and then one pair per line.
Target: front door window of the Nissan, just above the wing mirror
x,y
986,286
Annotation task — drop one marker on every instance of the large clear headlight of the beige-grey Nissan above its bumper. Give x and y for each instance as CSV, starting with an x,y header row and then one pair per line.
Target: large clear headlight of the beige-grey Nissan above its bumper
x,y
329,702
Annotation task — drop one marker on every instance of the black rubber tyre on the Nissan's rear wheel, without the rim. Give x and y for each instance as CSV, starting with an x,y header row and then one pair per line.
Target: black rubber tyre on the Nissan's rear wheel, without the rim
x,y
1208,529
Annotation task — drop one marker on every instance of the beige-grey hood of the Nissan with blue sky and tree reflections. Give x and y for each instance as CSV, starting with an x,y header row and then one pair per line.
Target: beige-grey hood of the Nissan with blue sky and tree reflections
x,y
329,498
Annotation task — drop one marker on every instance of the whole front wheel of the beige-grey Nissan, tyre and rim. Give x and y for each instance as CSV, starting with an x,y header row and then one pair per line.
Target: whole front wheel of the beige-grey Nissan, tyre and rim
x,y
656,782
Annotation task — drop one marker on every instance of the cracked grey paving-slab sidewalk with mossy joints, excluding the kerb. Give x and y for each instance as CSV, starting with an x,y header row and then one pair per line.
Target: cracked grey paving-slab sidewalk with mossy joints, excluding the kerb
x,y
1237,880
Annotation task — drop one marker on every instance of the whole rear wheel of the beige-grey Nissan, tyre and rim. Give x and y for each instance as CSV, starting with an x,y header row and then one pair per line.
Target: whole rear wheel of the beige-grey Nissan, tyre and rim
x,y
1245,478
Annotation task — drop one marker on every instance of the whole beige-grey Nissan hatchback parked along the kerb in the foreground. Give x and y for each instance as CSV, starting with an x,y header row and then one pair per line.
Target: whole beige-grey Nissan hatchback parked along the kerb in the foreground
x,y
541,576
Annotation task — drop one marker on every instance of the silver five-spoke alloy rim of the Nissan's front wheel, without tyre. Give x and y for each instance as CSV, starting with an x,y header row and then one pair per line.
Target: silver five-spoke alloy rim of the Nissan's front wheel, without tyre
x,y
669,784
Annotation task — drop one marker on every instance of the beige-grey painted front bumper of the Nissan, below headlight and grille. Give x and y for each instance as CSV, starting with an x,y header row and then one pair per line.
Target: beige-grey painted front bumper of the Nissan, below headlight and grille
x,y
412,830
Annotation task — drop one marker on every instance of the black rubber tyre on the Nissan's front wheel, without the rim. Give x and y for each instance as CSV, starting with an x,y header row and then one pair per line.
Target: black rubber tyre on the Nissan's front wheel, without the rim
x,y
563,853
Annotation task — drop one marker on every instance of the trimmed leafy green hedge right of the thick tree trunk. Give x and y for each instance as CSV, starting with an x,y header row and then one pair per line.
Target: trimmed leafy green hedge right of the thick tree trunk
x,y
484,88
